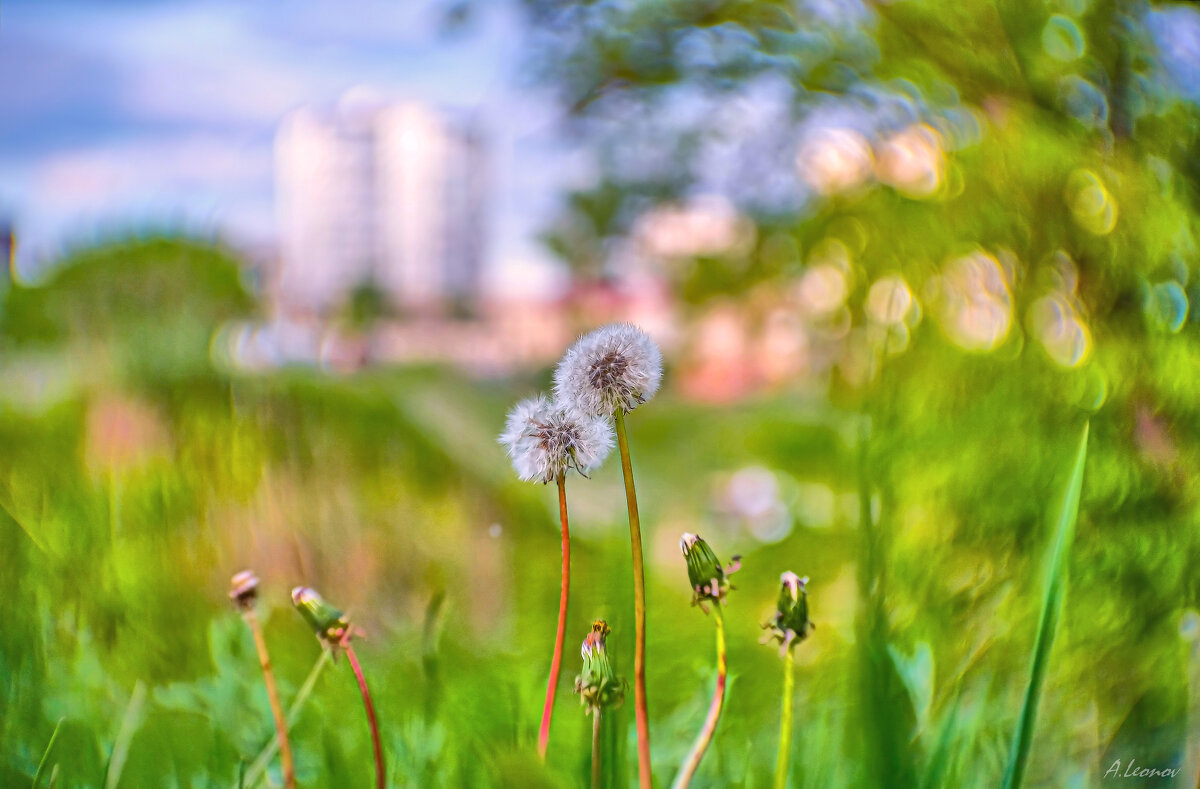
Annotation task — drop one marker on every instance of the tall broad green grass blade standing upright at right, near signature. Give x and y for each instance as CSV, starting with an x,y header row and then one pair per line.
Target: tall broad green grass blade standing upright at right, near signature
x,y
1048,623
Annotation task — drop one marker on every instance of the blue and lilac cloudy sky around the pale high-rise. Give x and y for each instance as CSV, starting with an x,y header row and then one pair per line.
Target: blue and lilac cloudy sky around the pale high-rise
x,y
127,116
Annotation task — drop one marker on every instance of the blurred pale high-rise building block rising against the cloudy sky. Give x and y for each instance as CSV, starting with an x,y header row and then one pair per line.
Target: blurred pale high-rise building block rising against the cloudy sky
x,y
382,195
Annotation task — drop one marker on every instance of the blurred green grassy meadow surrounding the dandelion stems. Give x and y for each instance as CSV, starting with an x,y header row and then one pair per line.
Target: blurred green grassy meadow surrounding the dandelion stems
x,y
140,473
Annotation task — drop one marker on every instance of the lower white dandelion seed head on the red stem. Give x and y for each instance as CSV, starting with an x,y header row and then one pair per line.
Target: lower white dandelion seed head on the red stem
x,y
545,439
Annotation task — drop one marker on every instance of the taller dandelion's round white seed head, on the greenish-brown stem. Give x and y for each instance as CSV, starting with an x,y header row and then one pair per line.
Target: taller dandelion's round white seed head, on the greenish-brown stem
x,y
614,368
